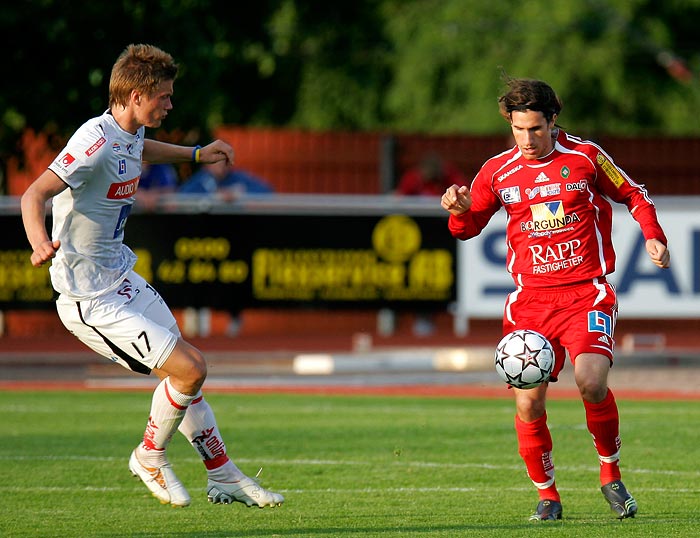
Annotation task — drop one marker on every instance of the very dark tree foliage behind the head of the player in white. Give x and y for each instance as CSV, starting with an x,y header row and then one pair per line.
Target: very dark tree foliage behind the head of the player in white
x,y
62,53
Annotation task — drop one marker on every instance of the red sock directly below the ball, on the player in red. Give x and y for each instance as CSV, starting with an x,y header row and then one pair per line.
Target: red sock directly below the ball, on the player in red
x,y
535,447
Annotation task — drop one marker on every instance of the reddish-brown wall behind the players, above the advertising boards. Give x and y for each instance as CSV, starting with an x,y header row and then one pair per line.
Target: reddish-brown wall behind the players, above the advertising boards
x,y
296,161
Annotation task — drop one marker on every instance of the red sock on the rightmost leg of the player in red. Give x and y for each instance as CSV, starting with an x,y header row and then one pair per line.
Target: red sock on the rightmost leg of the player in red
x,y
603,422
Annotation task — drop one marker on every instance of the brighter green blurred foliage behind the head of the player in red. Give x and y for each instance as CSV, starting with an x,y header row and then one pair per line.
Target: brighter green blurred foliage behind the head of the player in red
x,y
603,57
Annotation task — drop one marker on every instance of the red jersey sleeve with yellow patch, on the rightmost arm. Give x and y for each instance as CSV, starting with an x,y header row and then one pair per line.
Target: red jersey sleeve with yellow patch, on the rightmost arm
x,y
616,185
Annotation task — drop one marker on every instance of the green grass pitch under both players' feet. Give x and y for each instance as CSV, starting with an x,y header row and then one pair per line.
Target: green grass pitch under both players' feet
x,y
349,466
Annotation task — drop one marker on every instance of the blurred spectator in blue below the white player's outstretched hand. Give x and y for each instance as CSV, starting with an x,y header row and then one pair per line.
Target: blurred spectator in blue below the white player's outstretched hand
x,y
221,178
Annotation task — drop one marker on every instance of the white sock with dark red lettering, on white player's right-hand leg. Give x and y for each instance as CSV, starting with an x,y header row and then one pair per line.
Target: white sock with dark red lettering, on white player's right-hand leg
x,y
200,428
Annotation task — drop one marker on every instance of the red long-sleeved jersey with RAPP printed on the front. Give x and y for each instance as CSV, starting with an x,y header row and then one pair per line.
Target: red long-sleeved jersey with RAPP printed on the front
x,y
559,227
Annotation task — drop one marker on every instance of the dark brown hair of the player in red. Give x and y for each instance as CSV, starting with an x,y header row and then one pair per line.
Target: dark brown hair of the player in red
x,y
529,94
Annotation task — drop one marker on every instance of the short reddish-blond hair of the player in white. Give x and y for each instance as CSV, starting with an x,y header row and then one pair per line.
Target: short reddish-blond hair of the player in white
x,y
142,68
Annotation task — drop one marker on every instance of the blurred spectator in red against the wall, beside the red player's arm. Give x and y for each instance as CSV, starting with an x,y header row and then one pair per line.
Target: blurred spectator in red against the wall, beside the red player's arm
x,y
431,177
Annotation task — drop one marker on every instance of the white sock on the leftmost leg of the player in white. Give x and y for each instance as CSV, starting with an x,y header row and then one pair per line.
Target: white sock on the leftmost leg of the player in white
x,y
168,408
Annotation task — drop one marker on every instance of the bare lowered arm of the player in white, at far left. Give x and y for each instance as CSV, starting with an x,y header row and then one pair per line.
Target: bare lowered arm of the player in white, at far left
x,y
33,204
